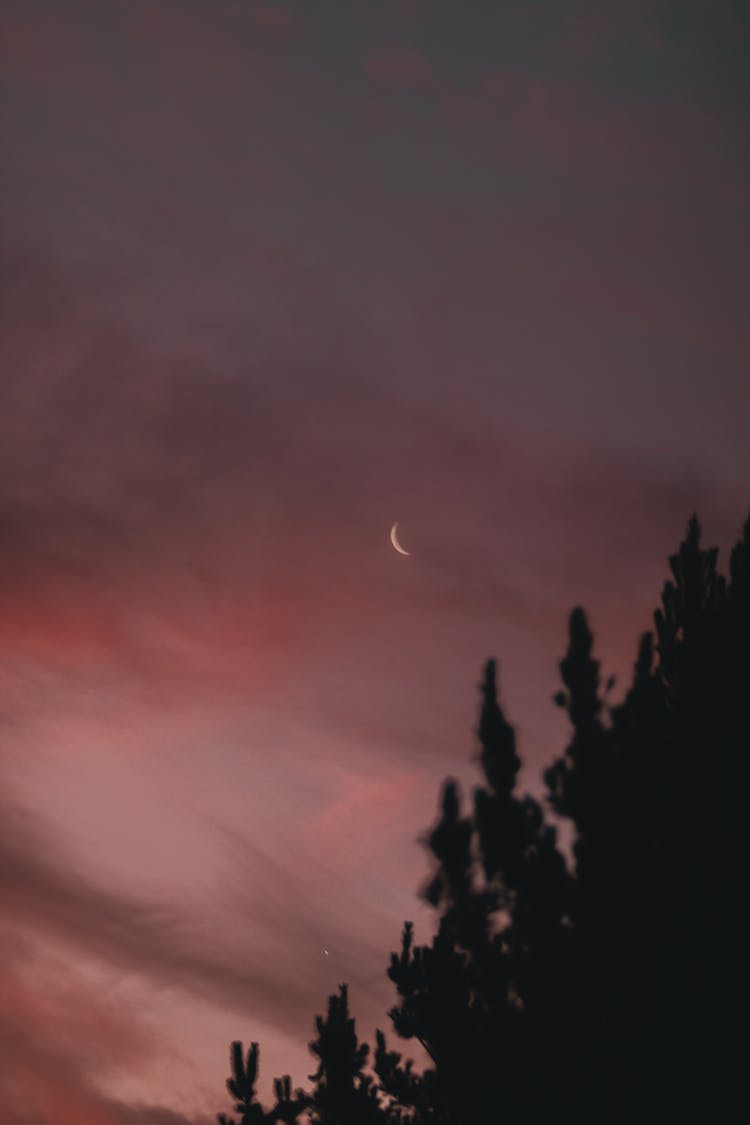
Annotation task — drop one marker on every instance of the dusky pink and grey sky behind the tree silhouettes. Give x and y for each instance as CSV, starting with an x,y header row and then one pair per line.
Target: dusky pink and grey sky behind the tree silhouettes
x,y
276,276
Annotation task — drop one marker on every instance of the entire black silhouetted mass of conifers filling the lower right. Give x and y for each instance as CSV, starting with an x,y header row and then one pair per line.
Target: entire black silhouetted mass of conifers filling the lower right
x,y
607,991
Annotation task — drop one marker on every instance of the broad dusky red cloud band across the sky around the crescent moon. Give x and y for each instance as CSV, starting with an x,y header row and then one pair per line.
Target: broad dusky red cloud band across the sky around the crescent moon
x,y
183,526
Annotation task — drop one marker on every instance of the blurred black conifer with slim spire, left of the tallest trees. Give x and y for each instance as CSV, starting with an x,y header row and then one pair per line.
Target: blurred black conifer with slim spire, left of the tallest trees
x,y
487,992
